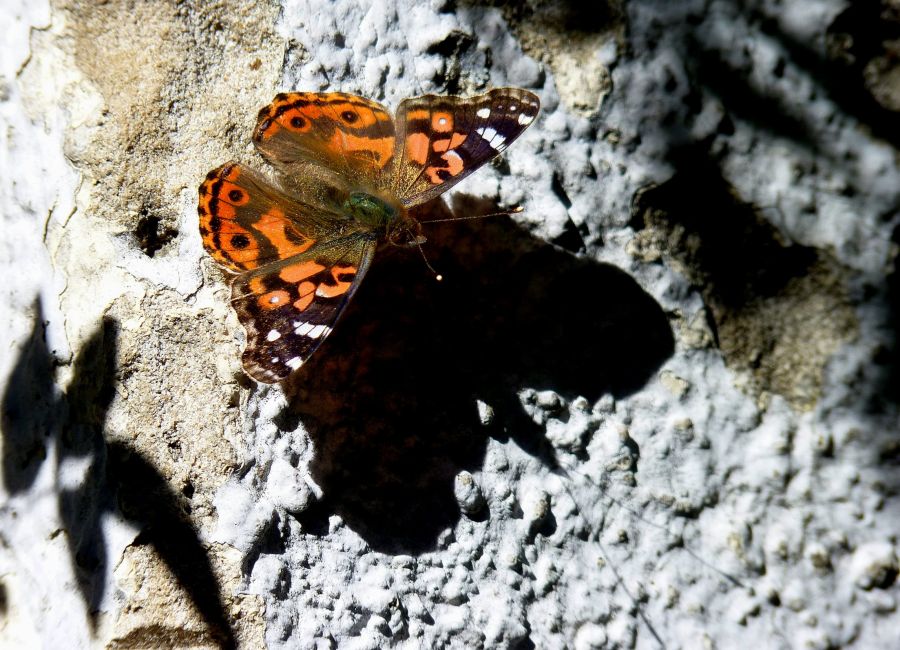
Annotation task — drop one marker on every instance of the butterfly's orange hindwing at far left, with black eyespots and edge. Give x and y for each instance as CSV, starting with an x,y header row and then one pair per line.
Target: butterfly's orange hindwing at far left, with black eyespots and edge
x,y
246,222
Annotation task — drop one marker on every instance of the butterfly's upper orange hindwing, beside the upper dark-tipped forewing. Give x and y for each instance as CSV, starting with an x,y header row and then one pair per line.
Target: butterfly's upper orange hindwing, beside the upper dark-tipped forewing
x,y
351,136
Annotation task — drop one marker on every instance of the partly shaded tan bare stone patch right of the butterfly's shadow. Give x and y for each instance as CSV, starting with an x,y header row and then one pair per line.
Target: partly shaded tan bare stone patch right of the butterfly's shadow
x,y
779,311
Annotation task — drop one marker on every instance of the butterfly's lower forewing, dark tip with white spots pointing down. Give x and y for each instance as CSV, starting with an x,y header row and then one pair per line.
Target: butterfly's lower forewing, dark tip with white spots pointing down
x,y
288,309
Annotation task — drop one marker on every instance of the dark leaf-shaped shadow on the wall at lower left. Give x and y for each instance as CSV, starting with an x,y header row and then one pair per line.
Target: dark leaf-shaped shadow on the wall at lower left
x,y
42,424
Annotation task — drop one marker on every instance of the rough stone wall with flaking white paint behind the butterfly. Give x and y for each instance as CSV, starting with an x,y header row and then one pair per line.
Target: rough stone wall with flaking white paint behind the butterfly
x,y
657,408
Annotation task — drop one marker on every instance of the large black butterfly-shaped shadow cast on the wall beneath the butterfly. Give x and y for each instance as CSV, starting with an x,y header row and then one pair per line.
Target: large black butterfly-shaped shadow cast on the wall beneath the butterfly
x,y
391,401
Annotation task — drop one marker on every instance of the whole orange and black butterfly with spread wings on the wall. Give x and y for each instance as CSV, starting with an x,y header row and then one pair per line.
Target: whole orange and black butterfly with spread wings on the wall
x,y
349,174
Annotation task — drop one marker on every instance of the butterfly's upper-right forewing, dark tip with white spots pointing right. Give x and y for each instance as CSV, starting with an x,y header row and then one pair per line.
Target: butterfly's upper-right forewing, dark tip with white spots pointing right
x,y
441,140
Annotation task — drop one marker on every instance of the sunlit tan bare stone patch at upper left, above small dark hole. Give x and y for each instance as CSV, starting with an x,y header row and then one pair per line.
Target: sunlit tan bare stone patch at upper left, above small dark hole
x,y
180,84
